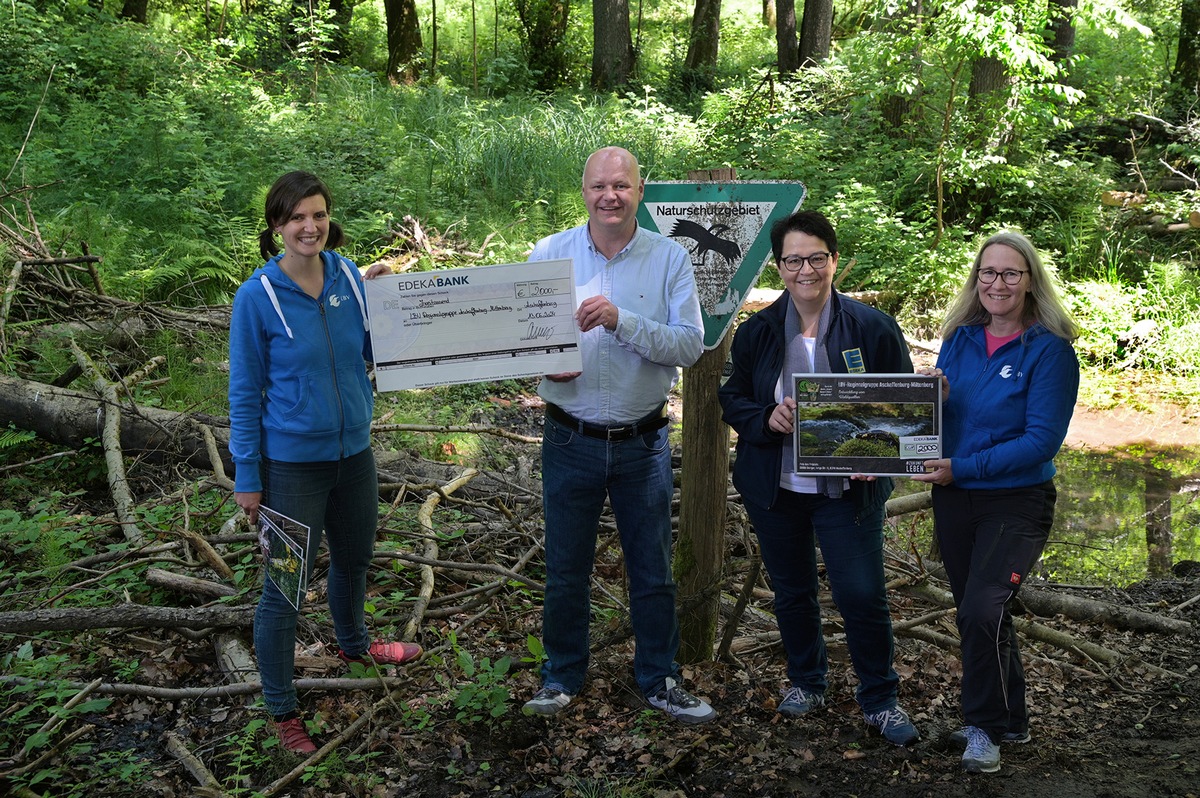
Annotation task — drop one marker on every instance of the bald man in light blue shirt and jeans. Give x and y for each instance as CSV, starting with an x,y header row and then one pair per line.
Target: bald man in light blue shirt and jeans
x,y
607,437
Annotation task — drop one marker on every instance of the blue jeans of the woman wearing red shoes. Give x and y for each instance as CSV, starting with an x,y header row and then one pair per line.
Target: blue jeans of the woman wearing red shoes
x,y
340,499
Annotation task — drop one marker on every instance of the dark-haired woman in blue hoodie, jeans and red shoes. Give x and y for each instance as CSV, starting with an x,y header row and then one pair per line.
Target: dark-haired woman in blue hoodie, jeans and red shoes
x,y
301,407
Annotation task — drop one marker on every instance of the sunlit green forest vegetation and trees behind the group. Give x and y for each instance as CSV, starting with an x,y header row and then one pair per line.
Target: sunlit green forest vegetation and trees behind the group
x,y
454,134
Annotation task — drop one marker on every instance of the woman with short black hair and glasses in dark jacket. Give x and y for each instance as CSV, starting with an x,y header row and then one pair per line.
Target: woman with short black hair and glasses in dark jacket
x,y
813,329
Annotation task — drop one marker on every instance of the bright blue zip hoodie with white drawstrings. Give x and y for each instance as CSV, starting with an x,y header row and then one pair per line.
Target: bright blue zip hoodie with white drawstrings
x,y
298,381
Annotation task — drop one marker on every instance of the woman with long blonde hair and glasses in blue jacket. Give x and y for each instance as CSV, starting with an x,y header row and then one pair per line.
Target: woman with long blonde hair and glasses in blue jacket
x,y
1010,385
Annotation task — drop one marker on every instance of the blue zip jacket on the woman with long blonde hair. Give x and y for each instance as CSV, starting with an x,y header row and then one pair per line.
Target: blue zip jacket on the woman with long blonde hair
x,y
1007,416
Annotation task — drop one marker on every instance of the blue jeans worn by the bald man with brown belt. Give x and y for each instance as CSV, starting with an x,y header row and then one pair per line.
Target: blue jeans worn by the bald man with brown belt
x,y
635,475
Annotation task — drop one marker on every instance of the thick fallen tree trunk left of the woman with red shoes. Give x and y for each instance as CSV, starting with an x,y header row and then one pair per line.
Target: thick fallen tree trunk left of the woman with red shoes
x,y
69,418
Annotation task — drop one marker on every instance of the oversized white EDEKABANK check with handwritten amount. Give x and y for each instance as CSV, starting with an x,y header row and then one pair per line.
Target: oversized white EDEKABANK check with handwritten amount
x,y
477,325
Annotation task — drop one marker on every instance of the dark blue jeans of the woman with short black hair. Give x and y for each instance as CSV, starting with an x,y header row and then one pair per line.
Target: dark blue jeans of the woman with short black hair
x,y
853,548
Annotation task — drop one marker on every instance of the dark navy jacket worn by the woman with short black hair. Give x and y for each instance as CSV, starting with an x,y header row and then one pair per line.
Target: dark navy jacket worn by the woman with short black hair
x,y
748,398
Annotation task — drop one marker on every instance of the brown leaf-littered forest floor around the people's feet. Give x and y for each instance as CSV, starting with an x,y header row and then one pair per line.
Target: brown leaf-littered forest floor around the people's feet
x,y
1125,731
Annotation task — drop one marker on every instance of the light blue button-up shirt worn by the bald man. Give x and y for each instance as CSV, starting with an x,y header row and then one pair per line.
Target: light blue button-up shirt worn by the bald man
x,y
628,373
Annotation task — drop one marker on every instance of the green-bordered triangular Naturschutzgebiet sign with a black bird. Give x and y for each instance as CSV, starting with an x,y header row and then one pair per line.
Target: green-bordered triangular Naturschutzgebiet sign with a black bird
x,y
727,229
